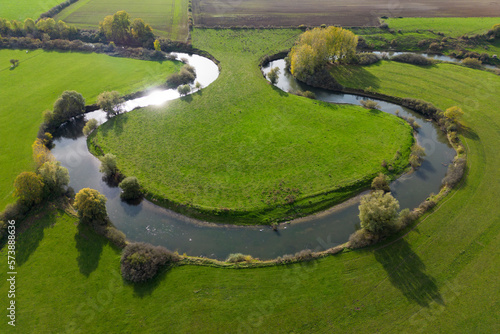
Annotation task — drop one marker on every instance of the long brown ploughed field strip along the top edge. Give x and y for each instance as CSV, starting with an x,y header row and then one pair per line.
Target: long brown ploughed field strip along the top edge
x,y
257,13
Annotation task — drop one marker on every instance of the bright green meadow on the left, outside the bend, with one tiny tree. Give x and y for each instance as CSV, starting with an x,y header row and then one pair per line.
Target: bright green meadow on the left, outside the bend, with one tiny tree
x,y
40,78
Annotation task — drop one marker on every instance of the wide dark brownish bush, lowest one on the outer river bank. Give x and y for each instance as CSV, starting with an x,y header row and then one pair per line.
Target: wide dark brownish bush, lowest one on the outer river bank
x,y
141,261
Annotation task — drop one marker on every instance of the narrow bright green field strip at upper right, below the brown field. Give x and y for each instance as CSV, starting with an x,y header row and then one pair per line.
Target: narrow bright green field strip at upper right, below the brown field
x,y
450,26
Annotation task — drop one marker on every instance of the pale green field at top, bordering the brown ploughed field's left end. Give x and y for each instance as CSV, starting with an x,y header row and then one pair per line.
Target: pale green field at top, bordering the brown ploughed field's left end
x,y
167,17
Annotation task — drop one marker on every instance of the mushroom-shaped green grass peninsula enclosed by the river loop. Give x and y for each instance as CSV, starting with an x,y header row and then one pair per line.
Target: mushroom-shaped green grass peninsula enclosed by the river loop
x,y
245,146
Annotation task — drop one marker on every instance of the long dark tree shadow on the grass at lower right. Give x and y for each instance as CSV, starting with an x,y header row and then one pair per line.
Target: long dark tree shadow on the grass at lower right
x,y
406,272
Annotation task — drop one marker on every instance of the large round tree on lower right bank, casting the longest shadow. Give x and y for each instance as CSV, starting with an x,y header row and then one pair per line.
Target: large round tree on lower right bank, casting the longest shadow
x,y
378,212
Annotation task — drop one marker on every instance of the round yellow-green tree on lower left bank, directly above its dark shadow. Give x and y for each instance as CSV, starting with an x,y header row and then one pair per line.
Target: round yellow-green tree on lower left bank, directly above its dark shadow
x,y
91,205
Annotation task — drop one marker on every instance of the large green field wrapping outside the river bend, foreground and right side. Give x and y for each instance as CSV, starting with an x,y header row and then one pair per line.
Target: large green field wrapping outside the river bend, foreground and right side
x,y
442,276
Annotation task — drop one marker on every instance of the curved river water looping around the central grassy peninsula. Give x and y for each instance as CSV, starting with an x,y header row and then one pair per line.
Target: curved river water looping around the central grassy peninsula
x,y
150,223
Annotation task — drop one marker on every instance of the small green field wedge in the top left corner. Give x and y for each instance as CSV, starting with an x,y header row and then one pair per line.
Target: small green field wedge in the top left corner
x,y
21,10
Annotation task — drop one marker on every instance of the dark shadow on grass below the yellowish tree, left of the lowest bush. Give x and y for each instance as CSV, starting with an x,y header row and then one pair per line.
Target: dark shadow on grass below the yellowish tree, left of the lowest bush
x,y
89,246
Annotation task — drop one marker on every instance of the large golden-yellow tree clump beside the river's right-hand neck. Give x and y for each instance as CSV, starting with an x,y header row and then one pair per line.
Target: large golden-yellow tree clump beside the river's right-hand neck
x,y
317,47
